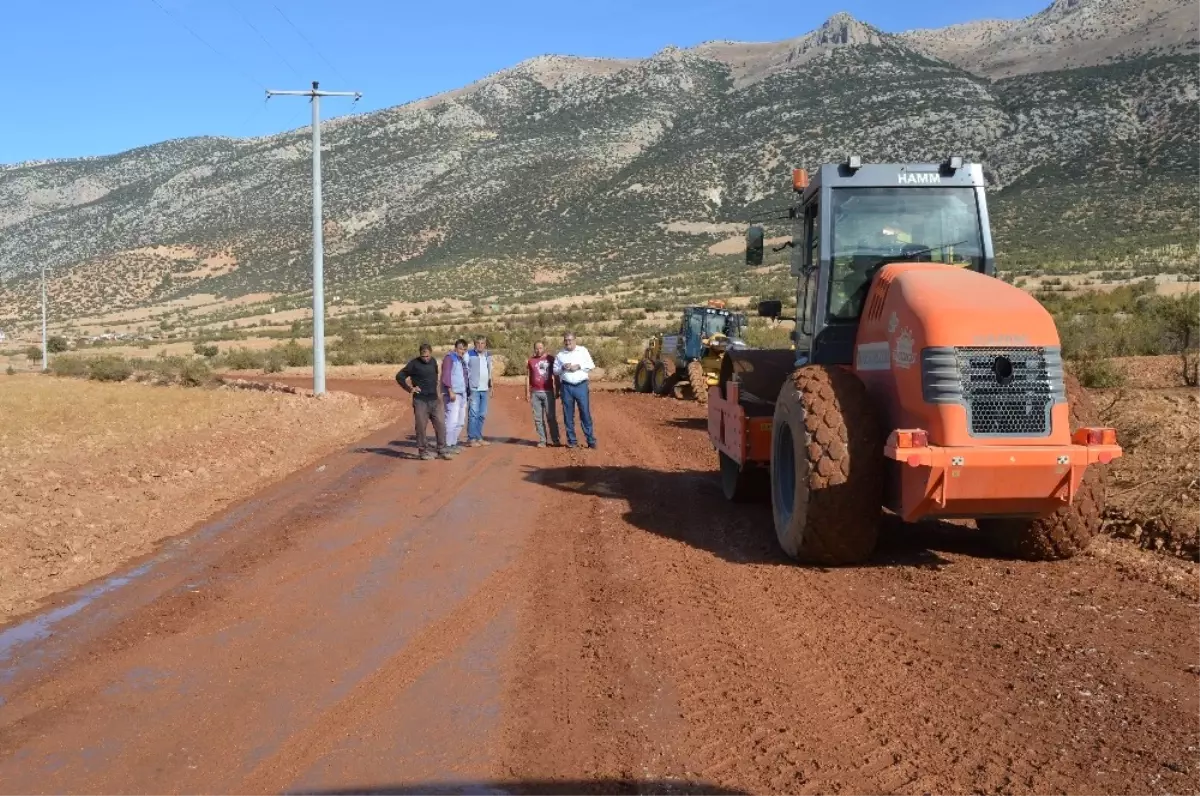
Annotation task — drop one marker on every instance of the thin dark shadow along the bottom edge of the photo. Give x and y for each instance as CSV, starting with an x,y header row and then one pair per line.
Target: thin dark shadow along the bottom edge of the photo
x,y
557,788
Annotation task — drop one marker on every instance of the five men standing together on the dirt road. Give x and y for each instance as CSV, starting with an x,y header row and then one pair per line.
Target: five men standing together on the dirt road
x,y
457,394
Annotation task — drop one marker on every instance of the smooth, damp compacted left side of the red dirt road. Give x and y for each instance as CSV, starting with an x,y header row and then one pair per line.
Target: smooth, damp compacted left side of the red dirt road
x,y
295,669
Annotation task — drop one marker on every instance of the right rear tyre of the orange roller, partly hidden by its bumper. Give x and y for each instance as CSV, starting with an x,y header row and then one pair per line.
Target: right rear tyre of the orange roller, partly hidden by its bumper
x,y
1069,531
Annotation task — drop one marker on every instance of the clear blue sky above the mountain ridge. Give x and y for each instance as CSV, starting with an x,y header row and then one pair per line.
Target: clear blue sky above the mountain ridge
x,y
93,77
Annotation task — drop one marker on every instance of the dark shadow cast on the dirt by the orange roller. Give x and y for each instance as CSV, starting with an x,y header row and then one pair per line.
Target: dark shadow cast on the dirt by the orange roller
x,y
689,507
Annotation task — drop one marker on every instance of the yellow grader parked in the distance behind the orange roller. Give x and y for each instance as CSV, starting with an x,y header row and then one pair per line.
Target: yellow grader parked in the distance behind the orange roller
x,y
692,357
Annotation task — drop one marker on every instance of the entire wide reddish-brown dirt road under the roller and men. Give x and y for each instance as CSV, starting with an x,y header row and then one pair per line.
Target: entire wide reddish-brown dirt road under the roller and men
x,y
537,620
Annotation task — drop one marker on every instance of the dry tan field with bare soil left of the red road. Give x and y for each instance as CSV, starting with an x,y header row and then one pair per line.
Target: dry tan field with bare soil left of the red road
x,y
94,475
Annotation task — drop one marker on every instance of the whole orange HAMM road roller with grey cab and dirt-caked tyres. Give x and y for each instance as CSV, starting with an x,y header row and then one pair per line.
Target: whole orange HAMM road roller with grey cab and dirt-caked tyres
x,y
921,385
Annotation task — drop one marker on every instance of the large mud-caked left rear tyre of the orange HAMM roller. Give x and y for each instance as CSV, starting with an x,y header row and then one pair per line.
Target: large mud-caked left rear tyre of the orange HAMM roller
x,y
827,470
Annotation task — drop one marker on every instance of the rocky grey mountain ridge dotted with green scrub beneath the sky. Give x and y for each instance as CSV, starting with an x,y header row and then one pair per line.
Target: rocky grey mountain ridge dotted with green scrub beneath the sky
x,y
599,165
